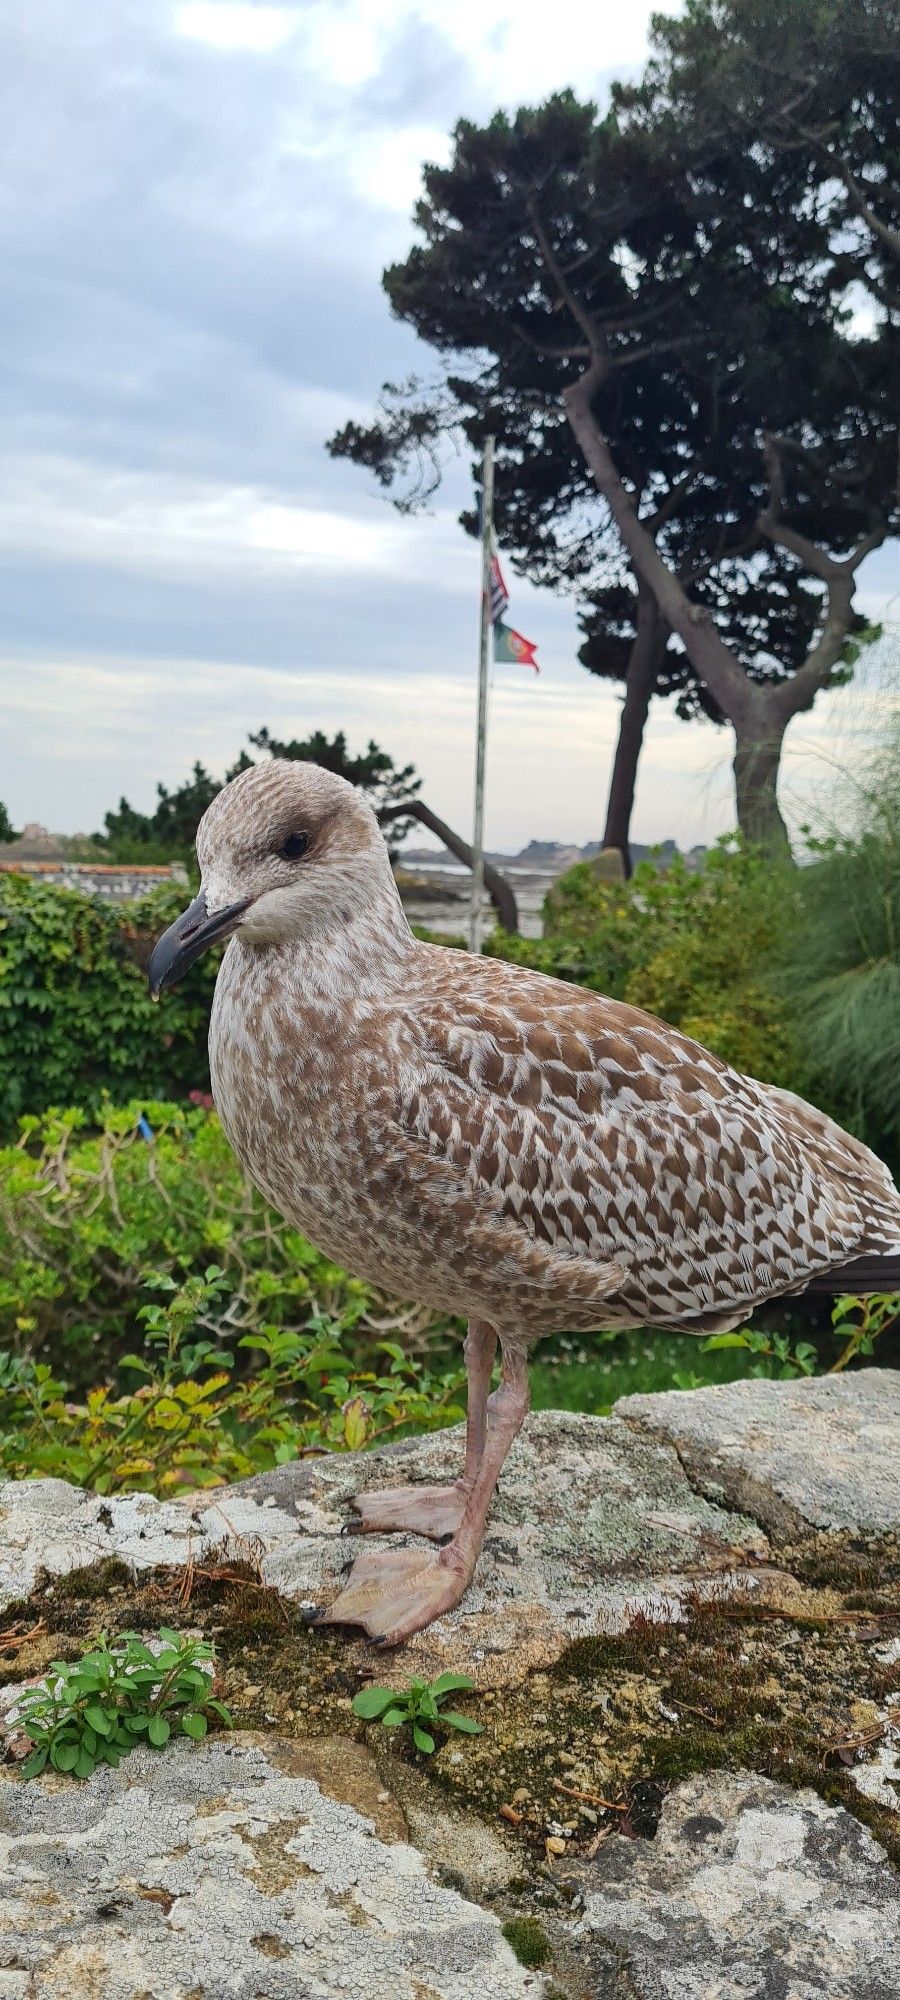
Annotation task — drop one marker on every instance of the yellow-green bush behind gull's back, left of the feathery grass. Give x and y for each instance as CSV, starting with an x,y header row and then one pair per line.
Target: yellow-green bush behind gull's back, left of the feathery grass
x,y
697,947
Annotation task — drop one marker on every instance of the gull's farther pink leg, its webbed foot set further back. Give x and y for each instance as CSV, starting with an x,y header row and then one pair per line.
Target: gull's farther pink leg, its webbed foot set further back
x,y
437,1511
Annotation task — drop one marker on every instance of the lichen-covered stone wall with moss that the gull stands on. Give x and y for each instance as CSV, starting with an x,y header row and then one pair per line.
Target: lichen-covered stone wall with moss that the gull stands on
x,y
685,1637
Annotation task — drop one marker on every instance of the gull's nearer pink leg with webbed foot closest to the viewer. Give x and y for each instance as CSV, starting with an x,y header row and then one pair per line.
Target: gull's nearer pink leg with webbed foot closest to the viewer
x,y
395,1595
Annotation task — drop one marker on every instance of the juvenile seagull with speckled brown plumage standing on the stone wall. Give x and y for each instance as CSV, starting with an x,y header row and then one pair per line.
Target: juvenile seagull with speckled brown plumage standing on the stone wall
x,y
489,1141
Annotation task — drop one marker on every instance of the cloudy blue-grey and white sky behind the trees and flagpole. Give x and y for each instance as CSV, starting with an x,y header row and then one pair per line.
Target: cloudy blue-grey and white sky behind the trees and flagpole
x,y
195,211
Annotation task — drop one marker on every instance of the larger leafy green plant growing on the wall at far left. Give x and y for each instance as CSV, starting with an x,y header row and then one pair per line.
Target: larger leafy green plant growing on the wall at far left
x,y
97,1709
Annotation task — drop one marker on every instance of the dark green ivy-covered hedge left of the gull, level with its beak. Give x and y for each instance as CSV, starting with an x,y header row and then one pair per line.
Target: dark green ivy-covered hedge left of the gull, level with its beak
x,y
77,1019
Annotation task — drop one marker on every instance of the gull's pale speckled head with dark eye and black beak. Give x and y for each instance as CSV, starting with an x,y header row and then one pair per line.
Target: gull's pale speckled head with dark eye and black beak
x,y
287,851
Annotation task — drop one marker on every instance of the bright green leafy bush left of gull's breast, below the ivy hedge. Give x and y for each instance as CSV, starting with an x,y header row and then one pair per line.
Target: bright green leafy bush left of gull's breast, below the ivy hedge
x,y
87,1209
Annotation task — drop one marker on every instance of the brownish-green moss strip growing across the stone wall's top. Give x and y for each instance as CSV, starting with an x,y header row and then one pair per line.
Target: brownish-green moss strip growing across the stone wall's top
x,y
585,1747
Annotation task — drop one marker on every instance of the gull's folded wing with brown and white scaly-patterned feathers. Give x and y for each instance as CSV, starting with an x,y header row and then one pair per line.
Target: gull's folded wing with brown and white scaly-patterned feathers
x,y
613,1139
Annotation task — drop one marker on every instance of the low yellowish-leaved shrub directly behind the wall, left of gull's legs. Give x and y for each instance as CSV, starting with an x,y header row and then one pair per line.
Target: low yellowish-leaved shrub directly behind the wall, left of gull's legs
x,y
197,1421
